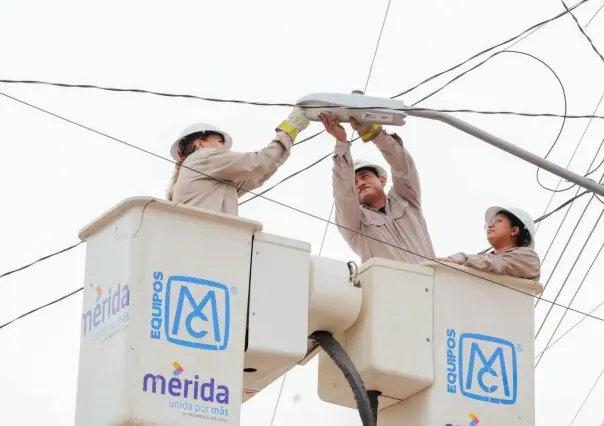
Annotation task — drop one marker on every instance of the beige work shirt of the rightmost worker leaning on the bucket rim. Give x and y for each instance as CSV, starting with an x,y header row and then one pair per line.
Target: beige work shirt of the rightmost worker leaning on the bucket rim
x,y
519,262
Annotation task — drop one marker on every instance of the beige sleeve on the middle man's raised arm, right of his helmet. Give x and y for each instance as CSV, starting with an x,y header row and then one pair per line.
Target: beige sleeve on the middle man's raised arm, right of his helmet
x,y
405,179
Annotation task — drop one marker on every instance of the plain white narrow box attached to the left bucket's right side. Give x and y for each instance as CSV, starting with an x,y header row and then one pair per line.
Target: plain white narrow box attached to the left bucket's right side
x,y
278,307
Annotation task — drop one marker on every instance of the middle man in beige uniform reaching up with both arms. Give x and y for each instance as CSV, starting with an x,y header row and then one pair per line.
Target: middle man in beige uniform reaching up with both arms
x,y
363,206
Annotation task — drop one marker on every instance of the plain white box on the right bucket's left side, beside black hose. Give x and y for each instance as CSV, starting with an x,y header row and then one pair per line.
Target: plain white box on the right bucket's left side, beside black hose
x,y
391,342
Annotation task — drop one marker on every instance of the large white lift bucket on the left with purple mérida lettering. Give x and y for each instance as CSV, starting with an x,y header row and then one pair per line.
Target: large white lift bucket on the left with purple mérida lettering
x,y
177,358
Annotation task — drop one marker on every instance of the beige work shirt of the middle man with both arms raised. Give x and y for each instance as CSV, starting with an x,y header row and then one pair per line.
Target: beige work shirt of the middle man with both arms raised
x,y
402,226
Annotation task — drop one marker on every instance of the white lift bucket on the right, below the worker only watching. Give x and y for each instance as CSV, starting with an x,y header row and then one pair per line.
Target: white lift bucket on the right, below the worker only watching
x,y
483,353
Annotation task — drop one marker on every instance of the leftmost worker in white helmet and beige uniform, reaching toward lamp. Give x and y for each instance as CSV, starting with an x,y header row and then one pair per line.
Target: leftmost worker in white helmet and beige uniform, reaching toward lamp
x,y
211,176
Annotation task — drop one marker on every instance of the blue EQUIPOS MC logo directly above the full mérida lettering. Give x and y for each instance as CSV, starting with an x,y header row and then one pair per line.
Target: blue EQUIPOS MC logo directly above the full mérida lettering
x,y
195,312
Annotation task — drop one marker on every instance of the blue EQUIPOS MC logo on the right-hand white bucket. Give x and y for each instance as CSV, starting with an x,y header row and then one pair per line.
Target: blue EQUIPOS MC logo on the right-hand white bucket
x,y
483,367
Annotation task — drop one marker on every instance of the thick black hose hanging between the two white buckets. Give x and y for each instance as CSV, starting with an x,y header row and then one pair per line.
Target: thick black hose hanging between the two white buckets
x,y
339,356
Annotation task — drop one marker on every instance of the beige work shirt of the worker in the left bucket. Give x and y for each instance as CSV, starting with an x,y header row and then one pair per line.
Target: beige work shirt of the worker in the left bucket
x,y
197,183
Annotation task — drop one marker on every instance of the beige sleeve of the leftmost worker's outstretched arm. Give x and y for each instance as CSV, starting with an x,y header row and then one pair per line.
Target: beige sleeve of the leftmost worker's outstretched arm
x,y
242,166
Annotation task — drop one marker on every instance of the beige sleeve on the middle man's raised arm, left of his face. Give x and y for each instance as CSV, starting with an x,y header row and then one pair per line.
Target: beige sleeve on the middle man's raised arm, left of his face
x,y
348,211
